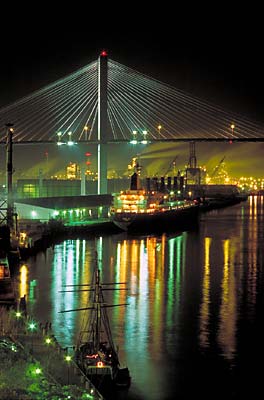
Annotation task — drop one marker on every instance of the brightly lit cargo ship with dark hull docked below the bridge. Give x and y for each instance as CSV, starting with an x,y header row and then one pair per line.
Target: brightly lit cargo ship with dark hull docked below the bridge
x,y
142,210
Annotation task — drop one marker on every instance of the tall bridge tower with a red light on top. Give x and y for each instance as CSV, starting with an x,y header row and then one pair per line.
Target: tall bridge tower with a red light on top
x,y
102,124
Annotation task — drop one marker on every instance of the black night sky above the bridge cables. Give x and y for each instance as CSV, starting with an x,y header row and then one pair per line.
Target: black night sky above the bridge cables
x,y
215,54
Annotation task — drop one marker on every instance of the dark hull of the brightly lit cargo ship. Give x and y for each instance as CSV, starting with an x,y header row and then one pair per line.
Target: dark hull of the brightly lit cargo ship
x,y
161,221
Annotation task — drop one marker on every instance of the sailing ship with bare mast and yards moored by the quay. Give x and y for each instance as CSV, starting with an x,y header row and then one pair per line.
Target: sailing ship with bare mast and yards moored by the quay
x,y
95,352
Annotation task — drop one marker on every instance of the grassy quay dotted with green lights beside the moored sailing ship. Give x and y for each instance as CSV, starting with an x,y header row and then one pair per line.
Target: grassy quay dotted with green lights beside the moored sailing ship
x,y
34,346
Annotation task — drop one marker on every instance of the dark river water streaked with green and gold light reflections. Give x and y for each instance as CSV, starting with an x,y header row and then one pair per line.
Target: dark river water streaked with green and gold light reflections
x,y
193,326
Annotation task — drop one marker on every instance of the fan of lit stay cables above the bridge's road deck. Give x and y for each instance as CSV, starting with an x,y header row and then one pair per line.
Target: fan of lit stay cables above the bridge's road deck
x,y
138,107
